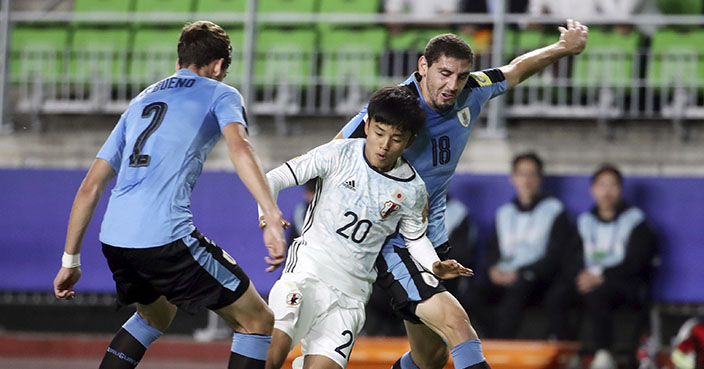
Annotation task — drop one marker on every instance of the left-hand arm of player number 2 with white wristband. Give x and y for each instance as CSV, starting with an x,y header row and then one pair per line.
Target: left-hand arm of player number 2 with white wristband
x,y
87,197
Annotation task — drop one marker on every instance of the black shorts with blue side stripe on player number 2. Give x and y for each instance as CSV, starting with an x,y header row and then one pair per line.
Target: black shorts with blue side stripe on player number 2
x,y
192,273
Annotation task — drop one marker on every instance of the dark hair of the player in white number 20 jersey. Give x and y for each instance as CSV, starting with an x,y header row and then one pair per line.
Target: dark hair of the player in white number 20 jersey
x,y
396,106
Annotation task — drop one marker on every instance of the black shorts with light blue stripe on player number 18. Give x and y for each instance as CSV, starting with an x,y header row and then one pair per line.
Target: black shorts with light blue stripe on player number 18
x,y
407,282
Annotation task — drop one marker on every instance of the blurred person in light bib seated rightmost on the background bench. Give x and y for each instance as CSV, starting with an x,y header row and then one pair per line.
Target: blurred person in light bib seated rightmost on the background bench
x,y
614,262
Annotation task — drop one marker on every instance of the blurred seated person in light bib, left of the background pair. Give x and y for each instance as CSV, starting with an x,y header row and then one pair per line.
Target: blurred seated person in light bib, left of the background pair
x,y
524,255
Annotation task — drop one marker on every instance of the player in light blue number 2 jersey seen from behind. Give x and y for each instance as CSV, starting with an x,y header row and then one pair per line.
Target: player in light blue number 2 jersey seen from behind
x,y
158,258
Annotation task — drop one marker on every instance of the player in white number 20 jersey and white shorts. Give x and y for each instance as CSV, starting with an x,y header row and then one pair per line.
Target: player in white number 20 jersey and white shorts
x,y
365,192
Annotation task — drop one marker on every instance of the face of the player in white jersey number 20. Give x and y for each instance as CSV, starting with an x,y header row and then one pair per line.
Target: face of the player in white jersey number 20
x,y
385,144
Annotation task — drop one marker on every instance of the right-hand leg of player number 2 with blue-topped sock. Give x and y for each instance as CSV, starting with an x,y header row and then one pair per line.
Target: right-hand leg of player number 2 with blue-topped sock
x,y
253,323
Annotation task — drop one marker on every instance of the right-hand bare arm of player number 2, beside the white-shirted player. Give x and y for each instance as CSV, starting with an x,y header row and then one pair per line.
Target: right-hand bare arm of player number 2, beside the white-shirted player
x,y
250,172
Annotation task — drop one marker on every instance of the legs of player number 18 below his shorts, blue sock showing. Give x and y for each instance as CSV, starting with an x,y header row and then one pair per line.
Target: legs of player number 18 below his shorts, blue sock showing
x,y
444,317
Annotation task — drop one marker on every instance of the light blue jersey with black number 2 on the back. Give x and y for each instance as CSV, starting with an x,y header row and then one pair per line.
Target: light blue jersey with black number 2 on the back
x,y
157,150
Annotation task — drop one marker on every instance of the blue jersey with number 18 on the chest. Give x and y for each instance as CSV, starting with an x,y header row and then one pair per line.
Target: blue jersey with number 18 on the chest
x,y
440,143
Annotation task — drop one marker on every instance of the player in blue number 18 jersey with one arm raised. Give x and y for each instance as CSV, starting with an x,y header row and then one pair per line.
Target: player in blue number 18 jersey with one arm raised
x,y
452,98
